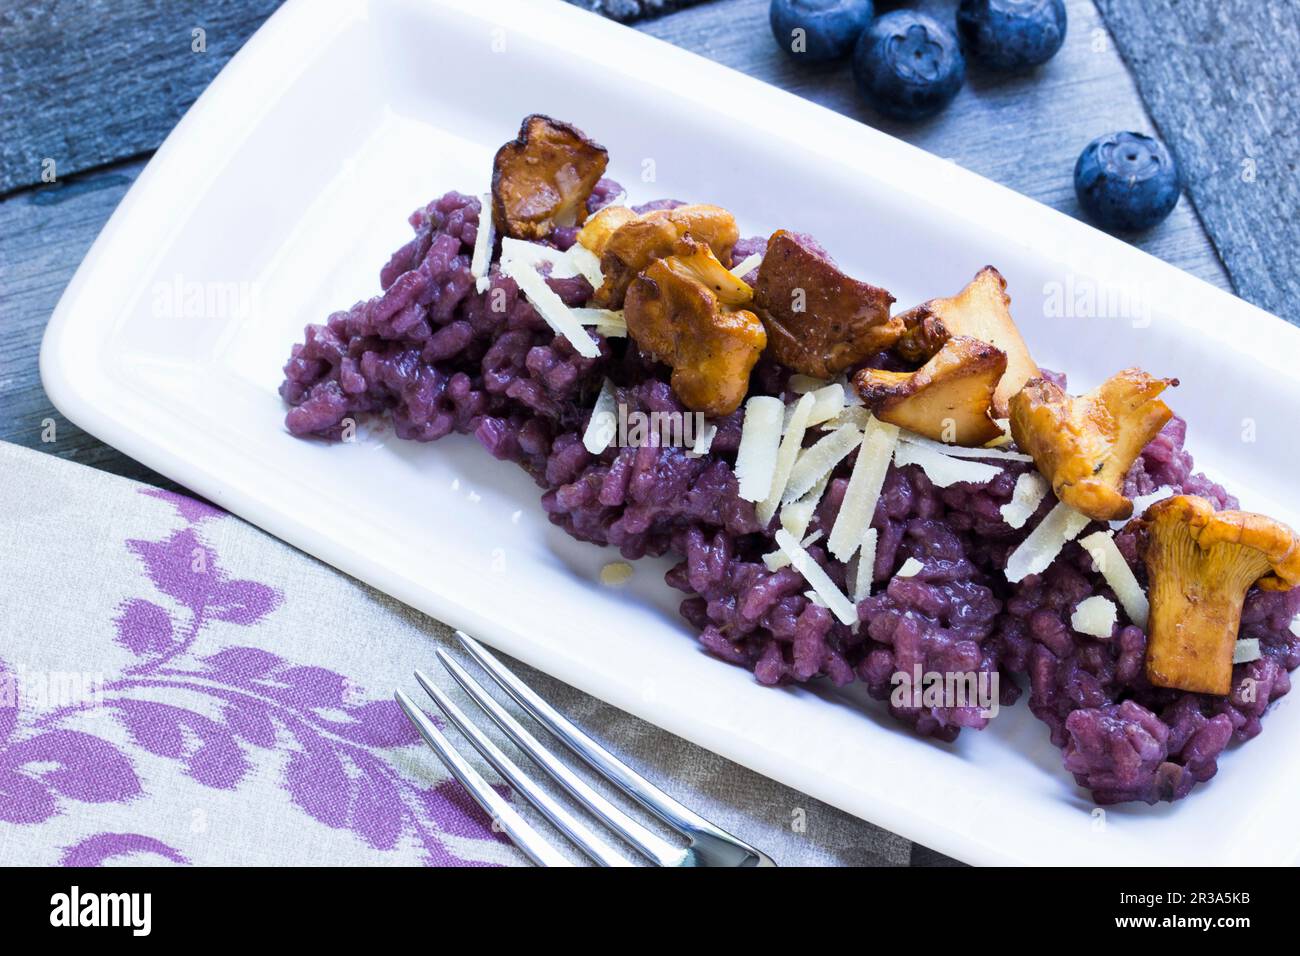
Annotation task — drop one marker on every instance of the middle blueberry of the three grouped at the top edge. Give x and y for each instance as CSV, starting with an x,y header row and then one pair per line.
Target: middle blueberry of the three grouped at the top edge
x,y
909,66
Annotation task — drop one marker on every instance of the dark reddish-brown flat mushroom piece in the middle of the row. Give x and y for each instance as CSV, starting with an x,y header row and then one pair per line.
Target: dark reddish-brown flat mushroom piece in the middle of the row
x,y
820,321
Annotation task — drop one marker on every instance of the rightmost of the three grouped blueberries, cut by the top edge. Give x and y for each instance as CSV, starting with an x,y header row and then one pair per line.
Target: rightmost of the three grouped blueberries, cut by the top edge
x,y
1012,34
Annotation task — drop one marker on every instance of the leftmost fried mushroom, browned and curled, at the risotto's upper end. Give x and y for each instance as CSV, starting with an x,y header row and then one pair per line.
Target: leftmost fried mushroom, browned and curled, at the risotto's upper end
x,y
544,178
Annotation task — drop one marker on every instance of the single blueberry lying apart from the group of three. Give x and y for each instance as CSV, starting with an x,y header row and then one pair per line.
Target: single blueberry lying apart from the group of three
x,y
1126,183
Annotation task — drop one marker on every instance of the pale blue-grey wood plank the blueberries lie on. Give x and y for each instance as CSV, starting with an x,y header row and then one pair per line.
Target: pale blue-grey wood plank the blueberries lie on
x,y
1025,132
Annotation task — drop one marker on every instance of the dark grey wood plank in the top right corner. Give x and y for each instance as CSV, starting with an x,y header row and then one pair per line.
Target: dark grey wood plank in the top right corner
x,y
1228,107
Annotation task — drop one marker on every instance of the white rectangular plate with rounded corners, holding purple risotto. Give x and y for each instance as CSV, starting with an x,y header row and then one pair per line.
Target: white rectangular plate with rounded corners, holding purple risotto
x,y
285,189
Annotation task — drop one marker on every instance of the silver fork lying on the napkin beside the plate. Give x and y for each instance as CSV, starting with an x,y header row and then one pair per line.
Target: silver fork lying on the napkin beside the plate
x,y
707,845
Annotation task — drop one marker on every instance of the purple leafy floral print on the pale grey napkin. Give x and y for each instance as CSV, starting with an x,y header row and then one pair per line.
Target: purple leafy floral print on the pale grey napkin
x,y
209,707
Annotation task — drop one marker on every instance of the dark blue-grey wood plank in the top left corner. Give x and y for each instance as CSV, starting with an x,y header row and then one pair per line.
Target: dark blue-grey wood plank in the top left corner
x,y
88,83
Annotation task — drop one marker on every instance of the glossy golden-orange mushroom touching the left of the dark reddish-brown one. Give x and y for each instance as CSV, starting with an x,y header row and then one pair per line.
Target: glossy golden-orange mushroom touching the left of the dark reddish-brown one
x,y
683,310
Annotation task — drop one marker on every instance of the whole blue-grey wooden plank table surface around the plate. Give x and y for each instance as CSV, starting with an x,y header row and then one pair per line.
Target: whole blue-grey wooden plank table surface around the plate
x,y
96,85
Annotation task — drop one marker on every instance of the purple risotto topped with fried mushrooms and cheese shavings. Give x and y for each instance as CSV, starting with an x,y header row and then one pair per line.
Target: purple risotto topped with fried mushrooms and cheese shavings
x,y
1030,542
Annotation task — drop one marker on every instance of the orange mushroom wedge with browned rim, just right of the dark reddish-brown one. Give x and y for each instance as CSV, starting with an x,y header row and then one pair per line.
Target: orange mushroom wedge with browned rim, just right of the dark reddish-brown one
x,y
947,400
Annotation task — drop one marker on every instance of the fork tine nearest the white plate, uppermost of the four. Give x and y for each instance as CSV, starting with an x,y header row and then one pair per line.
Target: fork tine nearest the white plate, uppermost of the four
x,y
681,819
